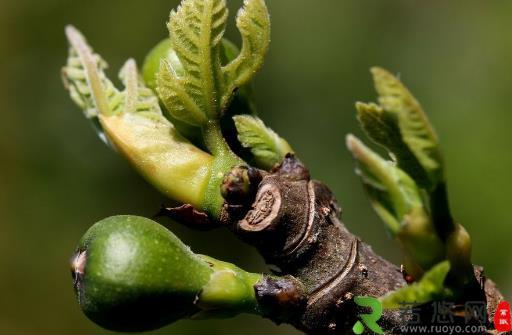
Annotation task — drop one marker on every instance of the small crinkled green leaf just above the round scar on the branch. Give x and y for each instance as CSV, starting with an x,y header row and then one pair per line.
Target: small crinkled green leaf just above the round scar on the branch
x,y
266,146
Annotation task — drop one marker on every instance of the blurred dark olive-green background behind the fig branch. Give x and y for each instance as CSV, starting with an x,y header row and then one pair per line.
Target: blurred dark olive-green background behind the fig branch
x,y
57,178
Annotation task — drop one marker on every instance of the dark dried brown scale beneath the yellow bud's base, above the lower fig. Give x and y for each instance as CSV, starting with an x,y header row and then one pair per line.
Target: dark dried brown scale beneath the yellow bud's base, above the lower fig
x,y
189,216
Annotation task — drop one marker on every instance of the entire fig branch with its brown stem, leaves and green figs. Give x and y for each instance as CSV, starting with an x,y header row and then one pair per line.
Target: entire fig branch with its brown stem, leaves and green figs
x,y
187,124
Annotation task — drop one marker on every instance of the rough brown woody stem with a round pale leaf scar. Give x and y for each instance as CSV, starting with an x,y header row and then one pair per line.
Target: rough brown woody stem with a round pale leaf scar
x,y
295,224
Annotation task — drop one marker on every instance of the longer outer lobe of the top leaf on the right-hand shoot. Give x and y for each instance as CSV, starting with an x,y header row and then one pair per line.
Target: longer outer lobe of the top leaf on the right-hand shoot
x,y
415,129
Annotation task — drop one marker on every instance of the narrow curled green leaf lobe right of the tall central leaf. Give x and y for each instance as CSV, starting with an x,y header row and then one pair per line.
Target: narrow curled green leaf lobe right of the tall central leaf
x,y
253,21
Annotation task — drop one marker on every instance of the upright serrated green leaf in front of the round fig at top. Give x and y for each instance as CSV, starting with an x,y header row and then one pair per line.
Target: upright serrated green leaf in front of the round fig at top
x,y
196,29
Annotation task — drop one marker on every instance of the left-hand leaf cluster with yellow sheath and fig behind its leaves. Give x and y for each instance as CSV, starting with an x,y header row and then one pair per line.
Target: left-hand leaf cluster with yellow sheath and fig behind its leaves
x,y
189,80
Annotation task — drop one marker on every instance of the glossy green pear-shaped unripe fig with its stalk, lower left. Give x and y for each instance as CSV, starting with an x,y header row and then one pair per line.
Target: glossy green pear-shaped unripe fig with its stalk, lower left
x,y
132,274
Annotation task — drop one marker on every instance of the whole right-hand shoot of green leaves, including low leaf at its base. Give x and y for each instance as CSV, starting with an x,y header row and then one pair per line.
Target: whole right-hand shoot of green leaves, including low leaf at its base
x,y
409,189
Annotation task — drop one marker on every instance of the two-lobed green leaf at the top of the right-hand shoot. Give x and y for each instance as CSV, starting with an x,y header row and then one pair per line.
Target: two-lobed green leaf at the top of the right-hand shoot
x,y
417,149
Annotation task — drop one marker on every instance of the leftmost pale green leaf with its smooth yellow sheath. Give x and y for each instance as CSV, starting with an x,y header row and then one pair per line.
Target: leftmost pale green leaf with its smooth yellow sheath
x,y
133,123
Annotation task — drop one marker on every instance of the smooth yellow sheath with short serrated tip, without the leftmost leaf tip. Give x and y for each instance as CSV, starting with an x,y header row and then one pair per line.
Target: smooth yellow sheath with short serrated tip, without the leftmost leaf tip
x,y
151,143
